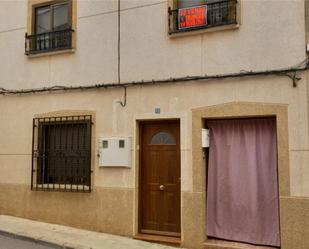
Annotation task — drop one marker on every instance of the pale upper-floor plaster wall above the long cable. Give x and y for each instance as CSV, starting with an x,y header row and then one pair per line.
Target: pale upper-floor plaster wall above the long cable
x,y
261,42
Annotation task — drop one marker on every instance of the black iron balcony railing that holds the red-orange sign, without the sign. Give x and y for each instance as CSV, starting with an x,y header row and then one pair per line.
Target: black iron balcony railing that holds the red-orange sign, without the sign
x,y
219,13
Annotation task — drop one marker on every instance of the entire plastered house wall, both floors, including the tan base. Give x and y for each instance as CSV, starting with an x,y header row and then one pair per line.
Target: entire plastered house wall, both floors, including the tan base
x,y
261,42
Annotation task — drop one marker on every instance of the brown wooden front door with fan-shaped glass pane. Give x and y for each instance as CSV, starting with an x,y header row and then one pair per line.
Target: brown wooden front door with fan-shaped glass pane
x,y
160,178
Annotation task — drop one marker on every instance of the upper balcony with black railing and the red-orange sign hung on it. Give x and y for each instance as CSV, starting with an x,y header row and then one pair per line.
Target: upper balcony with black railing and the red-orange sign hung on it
x,y
216,14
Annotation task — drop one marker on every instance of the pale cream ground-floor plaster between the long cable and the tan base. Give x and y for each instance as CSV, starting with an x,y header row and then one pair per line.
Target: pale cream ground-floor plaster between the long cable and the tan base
x,y
174,100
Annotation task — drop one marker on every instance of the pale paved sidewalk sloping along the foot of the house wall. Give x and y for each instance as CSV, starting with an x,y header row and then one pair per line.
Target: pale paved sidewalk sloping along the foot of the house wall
x,y
67,237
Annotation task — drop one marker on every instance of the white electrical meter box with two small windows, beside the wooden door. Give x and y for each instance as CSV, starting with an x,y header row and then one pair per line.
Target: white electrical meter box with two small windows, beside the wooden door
x,y
115,152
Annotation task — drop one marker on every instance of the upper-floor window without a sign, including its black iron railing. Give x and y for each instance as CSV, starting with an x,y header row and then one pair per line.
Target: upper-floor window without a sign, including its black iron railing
x,y
51,28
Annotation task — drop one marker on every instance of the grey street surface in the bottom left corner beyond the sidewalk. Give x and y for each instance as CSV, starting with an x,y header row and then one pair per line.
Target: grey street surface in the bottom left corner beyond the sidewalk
x,y
7,242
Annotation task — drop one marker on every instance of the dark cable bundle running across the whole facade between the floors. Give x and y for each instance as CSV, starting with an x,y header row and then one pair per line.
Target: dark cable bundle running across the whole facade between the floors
x,y
291,73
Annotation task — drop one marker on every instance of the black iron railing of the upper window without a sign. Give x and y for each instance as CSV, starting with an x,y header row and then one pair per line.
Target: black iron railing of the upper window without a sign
x,y
48,42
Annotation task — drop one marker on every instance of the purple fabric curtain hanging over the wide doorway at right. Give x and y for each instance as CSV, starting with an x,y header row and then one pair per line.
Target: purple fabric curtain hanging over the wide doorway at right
x,y
242,189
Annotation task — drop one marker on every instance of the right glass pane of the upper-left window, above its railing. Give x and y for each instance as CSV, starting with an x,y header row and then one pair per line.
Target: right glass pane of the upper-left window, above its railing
x,y
61,17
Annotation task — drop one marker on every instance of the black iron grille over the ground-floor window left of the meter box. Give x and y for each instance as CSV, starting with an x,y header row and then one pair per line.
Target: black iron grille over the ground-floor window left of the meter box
x,y
61,154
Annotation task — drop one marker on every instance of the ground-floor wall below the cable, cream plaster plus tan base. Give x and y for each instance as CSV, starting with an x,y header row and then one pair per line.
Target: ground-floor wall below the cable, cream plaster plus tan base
x,y
115,190
